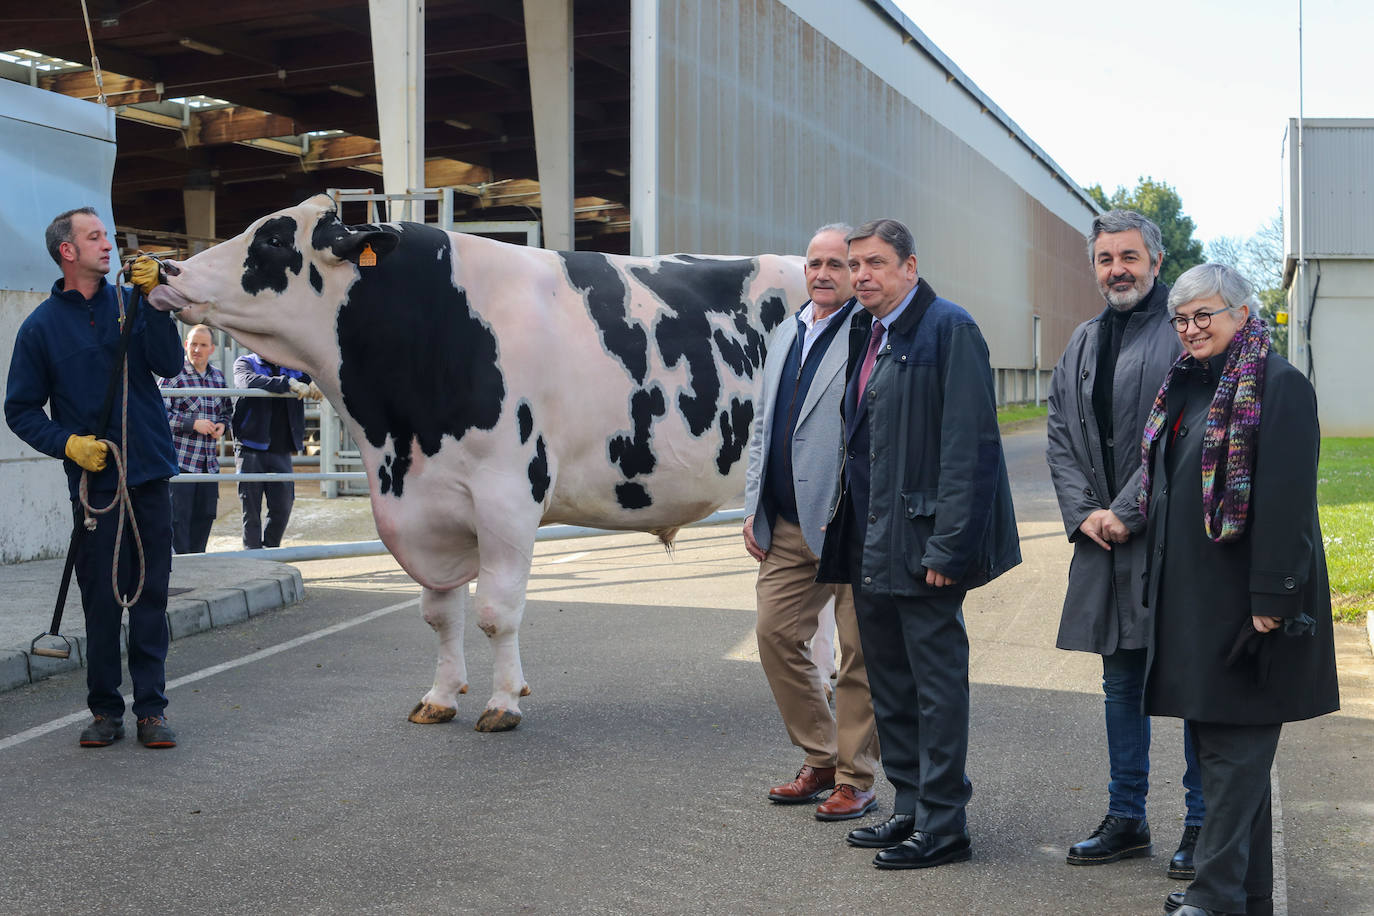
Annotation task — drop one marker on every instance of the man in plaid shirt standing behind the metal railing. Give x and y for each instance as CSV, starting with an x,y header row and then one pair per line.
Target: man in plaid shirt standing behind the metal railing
x,y
199,424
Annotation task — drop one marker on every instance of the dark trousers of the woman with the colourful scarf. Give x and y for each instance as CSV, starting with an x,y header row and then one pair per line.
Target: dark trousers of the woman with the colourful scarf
x,y
1236,849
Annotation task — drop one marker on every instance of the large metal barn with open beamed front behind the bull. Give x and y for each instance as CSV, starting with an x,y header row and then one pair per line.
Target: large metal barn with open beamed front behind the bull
x,y
718,127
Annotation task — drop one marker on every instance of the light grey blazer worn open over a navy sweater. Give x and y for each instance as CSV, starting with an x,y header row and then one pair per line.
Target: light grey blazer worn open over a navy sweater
x,y
817,444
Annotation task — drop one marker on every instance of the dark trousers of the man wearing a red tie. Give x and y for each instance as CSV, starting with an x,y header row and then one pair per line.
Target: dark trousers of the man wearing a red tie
x,y
917,654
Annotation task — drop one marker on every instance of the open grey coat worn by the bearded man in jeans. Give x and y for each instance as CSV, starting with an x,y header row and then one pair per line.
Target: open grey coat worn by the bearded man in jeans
x,y
1103,605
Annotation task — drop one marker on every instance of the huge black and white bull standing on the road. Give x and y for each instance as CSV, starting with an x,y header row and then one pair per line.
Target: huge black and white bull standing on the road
x,y
494,388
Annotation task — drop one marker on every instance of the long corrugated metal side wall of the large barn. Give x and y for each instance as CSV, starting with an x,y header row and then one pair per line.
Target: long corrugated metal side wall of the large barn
x,y
769,130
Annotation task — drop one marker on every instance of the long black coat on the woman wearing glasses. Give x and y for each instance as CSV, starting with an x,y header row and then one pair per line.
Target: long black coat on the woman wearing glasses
x,y
1204,594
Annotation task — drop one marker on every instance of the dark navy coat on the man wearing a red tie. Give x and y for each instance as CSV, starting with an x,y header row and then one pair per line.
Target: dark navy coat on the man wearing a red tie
x,y
941,496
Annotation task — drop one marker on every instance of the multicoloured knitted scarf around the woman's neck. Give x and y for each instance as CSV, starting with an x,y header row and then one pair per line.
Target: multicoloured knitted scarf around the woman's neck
x,y
1233,424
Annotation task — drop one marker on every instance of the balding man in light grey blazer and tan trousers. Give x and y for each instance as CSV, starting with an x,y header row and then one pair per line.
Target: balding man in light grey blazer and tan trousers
x,y
793,469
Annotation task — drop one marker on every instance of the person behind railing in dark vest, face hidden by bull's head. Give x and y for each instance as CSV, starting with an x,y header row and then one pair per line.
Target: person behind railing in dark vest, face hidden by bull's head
x,y
267,433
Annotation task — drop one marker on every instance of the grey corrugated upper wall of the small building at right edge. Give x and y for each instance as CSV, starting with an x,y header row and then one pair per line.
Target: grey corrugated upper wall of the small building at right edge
x,y
1338,187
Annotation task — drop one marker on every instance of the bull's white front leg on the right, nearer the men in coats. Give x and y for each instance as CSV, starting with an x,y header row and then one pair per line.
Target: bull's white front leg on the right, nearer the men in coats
x,y
501,605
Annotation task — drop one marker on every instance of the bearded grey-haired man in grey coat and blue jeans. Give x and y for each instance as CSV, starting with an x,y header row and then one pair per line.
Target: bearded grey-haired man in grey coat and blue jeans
x,y
1100,398
